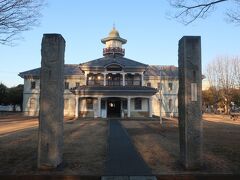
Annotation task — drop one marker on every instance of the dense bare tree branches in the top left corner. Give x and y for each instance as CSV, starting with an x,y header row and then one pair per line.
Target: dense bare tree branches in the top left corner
x,y
17,16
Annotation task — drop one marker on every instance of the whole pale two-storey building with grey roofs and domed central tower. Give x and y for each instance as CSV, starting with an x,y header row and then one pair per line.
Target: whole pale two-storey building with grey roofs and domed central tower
x,y
111,86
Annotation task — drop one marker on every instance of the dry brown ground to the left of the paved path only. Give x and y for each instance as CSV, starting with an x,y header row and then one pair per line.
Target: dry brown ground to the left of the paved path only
x,y
84,146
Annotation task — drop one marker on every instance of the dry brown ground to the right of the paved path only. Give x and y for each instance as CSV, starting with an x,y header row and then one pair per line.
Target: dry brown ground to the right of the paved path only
x,y
159,145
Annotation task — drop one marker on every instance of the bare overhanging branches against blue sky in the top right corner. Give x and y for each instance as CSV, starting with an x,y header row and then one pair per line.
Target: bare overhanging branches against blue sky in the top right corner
x,y
188,11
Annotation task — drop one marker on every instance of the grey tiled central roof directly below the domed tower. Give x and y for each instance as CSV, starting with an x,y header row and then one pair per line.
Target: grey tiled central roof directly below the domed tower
x,y
107,60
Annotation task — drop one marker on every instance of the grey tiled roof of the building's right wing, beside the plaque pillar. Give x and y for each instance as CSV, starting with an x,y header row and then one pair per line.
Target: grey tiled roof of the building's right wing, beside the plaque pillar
x,y
157,70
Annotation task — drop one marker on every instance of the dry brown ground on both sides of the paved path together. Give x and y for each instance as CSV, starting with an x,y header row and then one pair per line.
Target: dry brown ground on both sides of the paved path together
x,y
85,145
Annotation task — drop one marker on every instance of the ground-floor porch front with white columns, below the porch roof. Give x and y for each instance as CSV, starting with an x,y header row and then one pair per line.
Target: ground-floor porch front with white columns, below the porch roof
x,y
117,107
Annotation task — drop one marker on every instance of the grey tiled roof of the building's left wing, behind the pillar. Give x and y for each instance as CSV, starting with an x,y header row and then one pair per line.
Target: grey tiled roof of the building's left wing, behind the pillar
x,y
69,70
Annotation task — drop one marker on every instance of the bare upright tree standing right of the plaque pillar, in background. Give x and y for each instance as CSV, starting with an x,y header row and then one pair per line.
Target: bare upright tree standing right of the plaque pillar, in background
x,y
223,77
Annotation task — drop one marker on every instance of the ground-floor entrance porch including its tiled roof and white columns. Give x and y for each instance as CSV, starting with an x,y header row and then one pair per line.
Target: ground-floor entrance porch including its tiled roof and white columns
x,y
110,102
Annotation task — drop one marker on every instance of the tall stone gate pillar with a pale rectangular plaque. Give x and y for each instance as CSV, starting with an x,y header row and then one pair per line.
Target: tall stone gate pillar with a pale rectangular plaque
x,y
190,101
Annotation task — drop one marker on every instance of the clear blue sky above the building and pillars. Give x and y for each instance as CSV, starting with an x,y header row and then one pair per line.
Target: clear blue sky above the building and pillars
x,y
152,37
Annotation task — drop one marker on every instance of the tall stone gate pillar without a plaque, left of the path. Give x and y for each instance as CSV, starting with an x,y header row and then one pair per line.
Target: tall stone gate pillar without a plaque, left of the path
x,y
50,133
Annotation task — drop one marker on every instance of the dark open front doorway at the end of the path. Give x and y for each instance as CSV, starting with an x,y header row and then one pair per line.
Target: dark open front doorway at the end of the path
x,y
114,107
